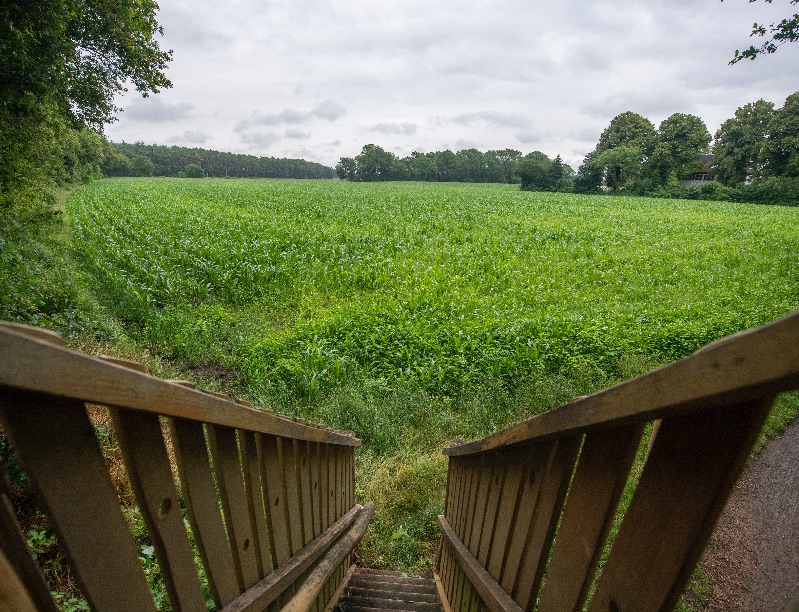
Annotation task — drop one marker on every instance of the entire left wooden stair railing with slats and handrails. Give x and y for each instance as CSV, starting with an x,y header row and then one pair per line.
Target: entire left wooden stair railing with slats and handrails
x,y
270,500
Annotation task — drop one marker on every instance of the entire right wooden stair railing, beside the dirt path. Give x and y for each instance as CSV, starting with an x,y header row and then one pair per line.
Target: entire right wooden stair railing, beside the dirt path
x,y
529,509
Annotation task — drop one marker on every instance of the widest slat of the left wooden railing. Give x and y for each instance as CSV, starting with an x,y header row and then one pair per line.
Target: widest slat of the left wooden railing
x,y
56,445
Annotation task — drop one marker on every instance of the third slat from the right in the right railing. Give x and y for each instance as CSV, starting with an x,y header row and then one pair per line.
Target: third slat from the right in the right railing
x,y
555,484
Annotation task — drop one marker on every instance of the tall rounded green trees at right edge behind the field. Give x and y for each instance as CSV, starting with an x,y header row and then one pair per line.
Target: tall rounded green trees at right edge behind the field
x,y
755,156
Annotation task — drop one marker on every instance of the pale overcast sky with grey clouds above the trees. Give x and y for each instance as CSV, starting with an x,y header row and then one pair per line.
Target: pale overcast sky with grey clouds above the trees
x,y
319,79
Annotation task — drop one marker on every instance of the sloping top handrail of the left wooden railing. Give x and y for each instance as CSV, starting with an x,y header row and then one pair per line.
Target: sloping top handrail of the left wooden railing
x,y
74,375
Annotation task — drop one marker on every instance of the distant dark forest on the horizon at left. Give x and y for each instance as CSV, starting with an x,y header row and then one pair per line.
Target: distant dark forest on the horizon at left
x,y
173,161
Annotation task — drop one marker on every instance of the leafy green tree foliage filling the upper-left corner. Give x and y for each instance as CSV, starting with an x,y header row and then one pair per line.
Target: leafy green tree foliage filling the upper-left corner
x,y
62,63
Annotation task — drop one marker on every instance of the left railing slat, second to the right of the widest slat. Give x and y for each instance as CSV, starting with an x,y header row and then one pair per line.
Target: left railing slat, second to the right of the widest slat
x,y
202,507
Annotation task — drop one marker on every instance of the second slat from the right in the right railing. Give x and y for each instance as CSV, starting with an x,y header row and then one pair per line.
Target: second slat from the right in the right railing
x,y
602,472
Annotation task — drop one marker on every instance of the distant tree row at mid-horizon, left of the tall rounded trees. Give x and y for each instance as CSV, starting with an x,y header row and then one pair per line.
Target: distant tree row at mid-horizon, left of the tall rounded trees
x,y
374,163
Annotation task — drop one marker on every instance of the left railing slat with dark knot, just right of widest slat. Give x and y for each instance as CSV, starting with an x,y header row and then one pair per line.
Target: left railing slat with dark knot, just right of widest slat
x,y
143,449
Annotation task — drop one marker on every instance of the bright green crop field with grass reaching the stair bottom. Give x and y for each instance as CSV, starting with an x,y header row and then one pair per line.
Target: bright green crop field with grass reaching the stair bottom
x,y
414,313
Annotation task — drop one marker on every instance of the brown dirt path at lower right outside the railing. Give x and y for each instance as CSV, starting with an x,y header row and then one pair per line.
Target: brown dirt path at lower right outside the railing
x,y
753,557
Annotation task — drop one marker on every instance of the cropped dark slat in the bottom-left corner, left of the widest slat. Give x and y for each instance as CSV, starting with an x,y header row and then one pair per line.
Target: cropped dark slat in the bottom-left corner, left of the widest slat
x,y
22,586
